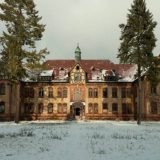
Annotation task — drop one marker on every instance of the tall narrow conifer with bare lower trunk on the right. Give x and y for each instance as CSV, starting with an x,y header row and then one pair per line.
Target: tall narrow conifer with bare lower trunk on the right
x,y
137,42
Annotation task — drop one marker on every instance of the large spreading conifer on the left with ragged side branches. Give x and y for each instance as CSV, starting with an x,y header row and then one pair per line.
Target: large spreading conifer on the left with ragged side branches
x,y
18,41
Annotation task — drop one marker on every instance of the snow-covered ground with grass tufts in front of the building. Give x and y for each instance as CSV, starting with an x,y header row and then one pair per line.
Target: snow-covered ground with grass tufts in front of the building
x,y
107,140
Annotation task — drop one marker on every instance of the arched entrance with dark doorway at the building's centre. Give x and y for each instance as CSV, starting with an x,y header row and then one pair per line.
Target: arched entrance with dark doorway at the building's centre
x,y
77,110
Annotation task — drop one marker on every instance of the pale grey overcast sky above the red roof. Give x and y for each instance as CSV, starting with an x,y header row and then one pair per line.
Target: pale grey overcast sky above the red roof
x,y
91,23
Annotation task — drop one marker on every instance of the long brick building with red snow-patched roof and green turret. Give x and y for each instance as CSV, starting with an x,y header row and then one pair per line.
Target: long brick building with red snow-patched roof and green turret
x,y
80,89
